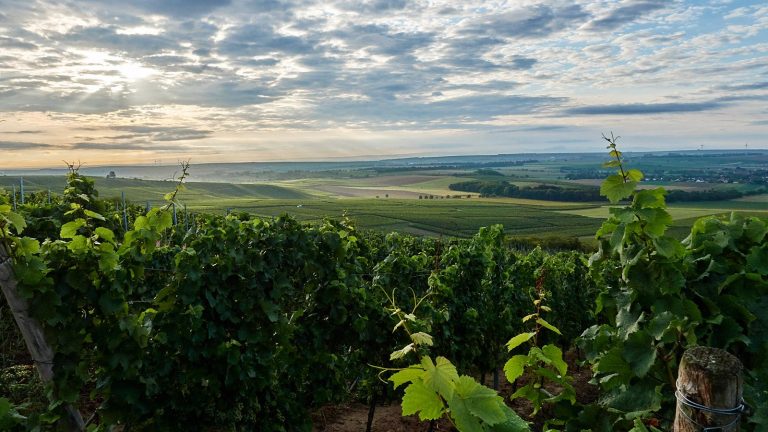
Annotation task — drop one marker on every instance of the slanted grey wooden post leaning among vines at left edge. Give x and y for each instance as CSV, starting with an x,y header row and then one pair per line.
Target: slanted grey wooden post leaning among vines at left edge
x,y
42,353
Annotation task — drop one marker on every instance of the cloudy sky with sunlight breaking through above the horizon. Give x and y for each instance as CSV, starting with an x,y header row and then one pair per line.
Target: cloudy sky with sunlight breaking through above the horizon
x,y
157,81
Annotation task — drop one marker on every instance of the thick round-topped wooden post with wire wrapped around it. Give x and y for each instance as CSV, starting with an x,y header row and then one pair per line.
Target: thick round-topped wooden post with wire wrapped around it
x,y
709,391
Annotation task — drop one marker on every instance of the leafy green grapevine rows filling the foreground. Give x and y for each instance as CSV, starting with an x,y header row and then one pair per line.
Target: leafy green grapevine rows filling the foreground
x,y
160,320
